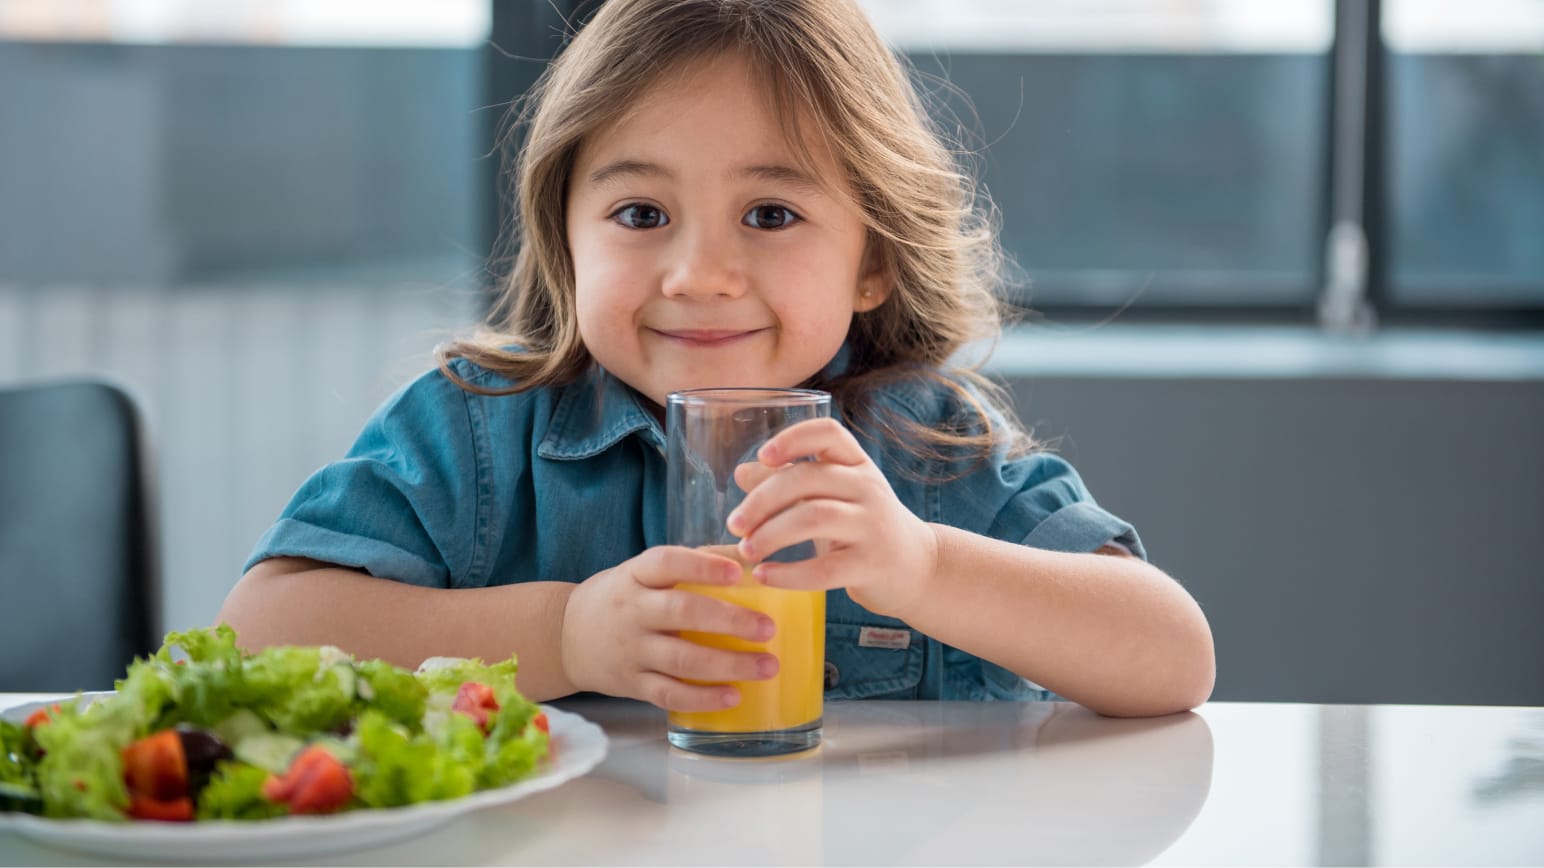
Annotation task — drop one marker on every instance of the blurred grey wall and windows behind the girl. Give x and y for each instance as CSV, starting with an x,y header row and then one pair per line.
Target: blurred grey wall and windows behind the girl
x,y
1282,268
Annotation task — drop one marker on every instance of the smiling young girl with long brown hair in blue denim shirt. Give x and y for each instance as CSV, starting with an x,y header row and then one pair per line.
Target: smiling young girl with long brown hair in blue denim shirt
x,y
730,194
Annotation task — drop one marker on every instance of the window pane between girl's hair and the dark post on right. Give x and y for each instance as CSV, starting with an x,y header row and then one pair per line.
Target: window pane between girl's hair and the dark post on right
x,y
1143,154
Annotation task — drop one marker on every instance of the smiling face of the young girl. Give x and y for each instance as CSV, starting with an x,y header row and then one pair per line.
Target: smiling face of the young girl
x,y
703,257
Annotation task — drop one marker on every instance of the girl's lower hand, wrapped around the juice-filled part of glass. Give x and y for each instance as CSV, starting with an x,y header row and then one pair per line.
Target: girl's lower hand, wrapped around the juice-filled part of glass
x,y
621,632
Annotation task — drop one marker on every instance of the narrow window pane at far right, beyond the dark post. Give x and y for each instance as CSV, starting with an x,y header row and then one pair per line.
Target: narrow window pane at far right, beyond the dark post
x,y
1466,154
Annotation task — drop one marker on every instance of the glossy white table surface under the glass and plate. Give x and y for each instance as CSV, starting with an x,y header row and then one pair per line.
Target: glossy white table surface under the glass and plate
x,y
1000,784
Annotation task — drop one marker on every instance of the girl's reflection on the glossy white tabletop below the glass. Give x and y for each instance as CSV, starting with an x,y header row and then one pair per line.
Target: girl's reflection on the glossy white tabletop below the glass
x,y
909,782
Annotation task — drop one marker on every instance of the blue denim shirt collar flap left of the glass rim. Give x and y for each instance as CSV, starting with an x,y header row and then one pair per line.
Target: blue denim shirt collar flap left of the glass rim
x,y
594,415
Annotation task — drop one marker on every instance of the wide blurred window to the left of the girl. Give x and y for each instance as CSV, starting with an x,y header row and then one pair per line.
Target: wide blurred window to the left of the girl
x,y
166,143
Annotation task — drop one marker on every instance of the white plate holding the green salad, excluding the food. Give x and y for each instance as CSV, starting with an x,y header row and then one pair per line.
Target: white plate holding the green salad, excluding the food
x,y
578,747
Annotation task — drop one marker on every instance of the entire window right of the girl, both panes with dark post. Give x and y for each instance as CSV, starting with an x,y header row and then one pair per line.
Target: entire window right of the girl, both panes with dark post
x,y
1197,157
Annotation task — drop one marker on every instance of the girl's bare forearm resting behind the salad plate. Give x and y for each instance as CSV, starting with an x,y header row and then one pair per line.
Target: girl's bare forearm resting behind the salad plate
x,y
293,602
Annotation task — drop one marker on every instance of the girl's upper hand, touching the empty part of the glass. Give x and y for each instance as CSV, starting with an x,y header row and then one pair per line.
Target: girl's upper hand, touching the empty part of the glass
x,y
870,543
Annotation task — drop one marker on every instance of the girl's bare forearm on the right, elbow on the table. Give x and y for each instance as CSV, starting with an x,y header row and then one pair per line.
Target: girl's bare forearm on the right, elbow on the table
x,y
1112,634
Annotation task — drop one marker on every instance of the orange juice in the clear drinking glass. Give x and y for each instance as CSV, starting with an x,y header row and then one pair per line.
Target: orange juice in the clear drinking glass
x,y
791,697
